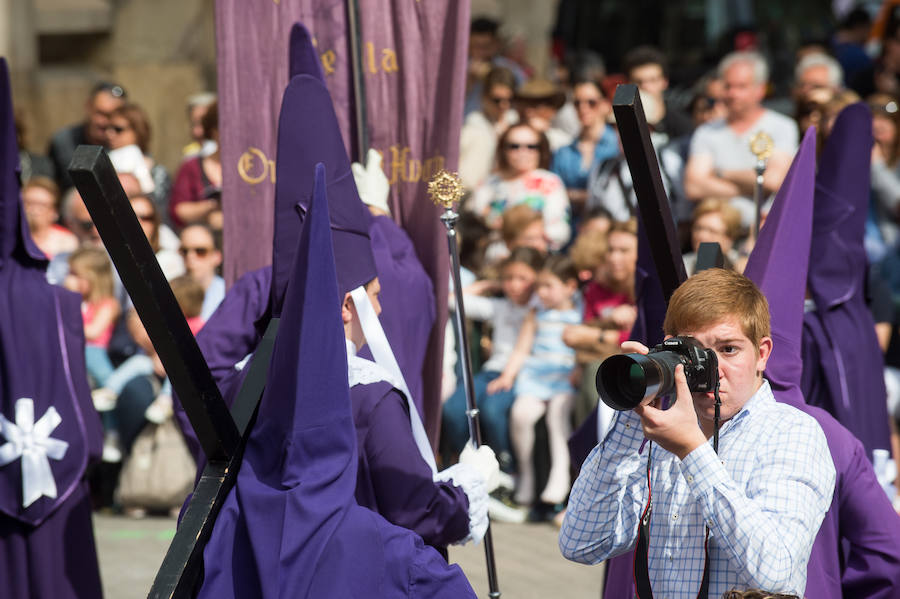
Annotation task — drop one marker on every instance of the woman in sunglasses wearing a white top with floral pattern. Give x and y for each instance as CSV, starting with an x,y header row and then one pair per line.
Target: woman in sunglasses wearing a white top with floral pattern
x,y
522,178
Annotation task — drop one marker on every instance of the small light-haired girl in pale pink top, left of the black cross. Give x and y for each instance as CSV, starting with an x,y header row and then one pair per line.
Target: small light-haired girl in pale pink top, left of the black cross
x,y
90,274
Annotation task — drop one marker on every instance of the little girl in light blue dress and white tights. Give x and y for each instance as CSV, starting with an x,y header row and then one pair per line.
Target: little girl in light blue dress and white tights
x,y
543,385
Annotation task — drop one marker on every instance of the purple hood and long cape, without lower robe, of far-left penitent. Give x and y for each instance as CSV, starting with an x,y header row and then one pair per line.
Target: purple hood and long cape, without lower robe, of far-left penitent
x,y
41,356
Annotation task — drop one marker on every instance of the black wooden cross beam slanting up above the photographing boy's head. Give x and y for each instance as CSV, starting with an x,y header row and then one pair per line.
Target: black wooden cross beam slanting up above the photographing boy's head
x,y
656,214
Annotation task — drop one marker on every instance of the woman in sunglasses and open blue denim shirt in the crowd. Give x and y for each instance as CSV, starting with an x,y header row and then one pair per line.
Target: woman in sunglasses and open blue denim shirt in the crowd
x,y
595,143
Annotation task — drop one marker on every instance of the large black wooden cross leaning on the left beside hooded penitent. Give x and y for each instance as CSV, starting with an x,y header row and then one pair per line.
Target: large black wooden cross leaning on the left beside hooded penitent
x,y
221,433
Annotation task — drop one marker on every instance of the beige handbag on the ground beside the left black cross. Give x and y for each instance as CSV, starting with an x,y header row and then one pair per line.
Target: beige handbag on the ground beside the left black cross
x,y
160,471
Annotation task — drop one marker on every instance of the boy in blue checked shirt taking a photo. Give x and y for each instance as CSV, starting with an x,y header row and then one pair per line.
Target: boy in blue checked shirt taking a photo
x,y
746,517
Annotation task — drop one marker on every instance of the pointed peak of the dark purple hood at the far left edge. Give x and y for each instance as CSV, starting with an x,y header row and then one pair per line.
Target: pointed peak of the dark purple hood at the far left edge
x,y
15,239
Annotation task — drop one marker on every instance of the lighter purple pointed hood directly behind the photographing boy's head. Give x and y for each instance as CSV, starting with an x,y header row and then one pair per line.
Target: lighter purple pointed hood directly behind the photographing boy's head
x,y
778,266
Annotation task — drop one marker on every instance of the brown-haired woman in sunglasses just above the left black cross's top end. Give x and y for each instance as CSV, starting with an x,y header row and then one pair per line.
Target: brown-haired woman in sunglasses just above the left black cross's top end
x,y
128,133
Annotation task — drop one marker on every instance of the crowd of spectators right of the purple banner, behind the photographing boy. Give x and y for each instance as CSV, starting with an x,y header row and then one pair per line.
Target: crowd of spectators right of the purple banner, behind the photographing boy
x,y
543,166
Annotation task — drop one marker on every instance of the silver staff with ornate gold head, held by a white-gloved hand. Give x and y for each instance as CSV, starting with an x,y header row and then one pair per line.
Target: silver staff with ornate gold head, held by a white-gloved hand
x,y
446,190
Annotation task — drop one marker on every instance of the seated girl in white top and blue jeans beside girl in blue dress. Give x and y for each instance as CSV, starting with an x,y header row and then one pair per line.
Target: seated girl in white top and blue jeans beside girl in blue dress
x,y
518,272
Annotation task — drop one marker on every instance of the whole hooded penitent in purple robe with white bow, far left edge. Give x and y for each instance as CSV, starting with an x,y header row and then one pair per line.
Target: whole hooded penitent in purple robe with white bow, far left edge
x,y
46,537
